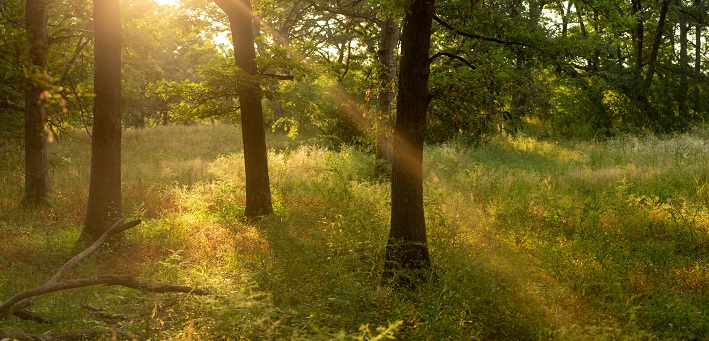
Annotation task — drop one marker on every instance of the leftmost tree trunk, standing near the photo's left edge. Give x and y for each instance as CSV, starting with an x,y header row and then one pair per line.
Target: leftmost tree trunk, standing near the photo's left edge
x,y
36,166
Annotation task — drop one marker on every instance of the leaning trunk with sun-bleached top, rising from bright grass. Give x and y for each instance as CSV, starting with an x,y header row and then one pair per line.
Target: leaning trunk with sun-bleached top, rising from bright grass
x,y
258,192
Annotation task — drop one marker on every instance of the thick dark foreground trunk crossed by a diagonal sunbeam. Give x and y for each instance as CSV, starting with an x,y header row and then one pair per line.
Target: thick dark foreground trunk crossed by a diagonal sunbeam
x,y
407,247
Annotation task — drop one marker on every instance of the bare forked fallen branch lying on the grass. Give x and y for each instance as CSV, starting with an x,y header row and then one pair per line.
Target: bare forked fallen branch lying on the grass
x,y
16,304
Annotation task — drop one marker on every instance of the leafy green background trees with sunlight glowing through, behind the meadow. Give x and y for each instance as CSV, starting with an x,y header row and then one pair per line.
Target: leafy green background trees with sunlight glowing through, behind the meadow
x,y
582,69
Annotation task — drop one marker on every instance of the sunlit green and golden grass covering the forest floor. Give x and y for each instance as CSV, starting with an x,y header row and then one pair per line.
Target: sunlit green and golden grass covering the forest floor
x,y
531,239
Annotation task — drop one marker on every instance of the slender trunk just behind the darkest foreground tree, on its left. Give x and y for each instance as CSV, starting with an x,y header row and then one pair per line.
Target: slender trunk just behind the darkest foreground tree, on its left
x,y
389,38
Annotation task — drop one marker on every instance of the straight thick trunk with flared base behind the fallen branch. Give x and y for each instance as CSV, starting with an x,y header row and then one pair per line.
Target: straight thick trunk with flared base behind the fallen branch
x,y
105,206
